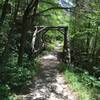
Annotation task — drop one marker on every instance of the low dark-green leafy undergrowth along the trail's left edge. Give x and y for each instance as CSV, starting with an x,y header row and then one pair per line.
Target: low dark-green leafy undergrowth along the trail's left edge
x,y
14,78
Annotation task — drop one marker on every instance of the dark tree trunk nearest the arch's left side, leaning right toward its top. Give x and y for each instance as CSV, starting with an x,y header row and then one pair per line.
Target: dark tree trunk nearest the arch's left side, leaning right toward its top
x,y
33,4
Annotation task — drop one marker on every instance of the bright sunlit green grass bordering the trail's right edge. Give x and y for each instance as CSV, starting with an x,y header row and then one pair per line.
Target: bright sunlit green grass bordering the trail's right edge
x,y
81,83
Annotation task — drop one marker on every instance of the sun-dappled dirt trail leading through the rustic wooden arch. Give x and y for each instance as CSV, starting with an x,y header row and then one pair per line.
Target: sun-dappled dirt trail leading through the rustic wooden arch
x,y
50,84
